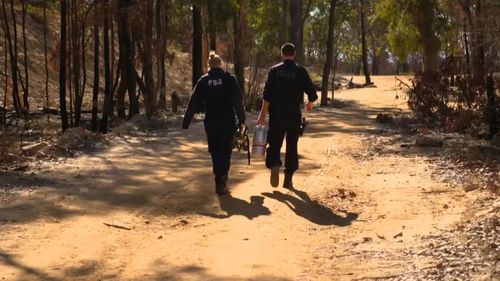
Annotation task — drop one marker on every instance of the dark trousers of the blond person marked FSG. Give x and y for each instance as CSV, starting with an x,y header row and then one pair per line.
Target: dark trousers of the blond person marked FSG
x,y
220,145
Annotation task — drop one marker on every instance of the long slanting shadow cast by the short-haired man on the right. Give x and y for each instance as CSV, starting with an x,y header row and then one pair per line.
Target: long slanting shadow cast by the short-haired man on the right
x,y
311,210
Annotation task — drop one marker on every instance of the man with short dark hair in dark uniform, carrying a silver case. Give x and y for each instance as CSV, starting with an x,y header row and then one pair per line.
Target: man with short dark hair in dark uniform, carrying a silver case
x,y
283,96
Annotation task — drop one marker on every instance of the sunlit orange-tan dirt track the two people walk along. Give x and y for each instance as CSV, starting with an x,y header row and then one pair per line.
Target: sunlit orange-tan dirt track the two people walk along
x,y
352,213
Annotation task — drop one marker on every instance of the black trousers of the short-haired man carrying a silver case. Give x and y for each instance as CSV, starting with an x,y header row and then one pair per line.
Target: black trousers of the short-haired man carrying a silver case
x,y
275,136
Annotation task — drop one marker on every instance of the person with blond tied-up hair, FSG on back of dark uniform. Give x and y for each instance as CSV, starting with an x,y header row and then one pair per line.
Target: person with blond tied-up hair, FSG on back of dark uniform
x,y
218,94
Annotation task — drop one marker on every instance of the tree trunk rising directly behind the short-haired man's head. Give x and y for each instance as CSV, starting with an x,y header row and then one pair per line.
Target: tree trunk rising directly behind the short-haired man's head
x,y
297,29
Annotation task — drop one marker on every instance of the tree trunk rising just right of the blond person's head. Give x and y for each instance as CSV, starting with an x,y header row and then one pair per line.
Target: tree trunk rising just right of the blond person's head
x,y
239,35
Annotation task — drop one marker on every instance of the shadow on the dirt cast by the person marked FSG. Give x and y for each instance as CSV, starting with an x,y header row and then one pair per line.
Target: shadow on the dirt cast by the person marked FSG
x,y
237,207
